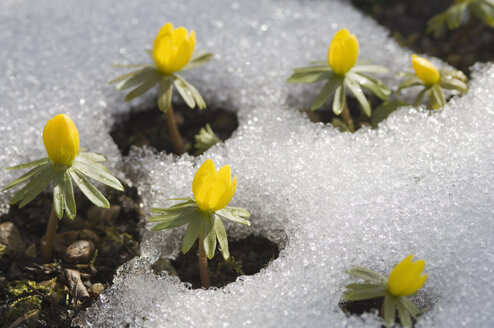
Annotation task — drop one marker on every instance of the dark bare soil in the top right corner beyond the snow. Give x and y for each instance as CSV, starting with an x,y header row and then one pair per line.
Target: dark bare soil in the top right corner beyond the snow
x,y
407,21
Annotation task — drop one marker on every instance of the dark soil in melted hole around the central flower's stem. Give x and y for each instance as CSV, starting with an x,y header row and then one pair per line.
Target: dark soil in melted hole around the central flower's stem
x,y
247,257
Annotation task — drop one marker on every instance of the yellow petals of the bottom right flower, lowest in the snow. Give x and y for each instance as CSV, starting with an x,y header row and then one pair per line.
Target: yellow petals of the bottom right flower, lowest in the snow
x,y
405,278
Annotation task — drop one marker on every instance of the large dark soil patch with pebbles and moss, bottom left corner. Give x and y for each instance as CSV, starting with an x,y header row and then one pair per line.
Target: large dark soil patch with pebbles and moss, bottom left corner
x,y
28,284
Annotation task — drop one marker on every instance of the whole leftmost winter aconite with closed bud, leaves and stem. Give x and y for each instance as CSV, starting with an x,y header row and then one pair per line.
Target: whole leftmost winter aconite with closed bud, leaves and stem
x,y
63,166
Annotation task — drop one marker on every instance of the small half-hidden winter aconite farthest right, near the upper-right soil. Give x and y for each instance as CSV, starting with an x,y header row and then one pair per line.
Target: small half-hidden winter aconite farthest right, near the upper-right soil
x,y
433,82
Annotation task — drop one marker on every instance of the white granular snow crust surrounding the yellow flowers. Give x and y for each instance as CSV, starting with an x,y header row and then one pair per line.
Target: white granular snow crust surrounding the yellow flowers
x,y
422,183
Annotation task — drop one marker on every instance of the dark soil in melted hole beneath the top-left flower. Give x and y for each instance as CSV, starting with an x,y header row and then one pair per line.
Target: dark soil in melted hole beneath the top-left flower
x,y
148,127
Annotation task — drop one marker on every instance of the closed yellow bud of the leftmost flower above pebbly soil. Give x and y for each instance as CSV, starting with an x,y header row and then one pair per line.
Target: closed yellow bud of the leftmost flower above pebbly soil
x,y
61,139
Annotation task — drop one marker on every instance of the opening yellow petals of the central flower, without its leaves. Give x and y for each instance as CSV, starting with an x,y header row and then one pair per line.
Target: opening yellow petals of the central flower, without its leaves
x,y
213,189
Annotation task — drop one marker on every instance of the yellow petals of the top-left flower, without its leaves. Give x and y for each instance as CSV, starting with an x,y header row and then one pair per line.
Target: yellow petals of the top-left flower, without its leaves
x,y
173,48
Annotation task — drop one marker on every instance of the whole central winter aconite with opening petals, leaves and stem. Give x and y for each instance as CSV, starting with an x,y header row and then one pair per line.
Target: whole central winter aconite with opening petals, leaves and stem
x,y
213,190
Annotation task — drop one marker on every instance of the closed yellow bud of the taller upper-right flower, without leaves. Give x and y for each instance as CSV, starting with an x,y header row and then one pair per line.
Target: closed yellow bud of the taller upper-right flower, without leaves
x,y
343,52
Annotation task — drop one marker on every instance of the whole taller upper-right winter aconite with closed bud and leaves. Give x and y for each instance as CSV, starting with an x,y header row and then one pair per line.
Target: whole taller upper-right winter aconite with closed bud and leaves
x,y
342,73
